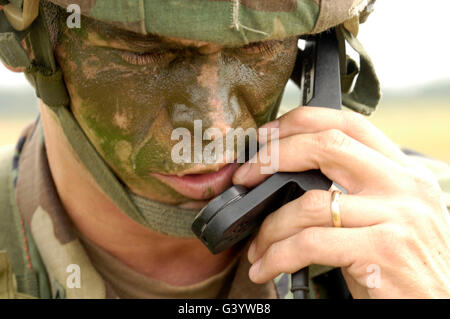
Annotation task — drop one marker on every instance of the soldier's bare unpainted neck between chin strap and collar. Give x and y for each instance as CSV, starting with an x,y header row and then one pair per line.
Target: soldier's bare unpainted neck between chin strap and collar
x,y
169,259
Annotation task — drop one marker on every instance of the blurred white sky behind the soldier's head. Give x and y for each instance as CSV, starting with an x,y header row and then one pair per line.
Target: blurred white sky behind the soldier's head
x,y
407,39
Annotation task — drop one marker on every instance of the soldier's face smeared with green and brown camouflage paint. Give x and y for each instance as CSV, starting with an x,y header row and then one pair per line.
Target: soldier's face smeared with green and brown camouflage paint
x,y
129,92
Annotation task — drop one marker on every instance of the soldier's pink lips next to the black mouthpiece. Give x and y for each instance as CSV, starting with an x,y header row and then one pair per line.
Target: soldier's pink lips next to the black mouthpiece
x,y
200,186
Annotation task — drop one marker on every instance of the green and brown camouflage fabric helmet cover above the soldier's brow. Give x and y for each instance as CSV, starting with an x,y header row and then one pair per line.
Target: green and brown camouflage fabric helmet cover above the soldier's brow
x,y
228,22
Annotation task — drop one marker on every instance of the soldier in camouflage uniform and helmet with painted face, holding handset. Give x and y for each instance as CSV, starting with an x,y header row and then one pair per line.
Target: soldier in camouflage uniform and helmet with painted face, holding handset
x,y
92,205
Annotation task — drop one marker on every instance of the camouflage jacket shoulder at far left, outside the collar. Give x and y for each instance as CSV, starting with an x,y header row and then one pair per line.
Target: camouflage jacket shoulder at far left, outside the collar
x,y
18,276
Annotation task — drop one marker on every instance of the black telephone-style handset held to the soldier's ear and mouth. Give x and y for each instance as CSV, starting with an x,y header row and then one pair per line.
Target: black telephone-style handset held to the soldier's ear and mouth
x,y
237,212
